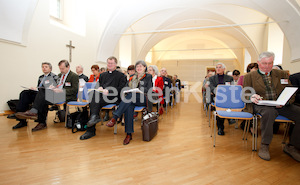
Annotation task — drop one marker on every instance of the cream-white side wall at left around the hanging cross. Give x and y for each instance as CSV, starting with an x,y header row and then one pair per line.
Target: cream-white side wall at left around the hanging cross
x,y
21,64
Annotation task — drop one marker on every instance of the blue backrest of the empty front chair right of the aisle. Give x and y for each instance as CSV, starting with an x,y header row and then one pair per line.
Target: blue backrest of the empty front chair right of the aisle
x,y
229,97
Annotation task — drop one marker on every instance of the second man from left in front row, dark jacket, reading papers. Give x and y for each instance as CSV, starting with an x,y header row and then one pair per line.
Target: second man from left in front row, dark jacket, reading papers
x,y
68,81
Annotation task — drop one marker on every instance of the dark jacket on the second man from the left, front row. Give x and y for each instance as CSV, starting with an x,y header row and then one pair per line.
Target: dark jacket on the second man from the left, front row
x,y
71,86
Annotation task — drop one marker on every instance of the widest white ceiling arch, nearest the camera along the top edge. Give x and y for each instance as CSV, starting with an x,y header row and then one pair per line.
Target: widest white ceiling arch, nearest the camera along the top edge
x,y
112,32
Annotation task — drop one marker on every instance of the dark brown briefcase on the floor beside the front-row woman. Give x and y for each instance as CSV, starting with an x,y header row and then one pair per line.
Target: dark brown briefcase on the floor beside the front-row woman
x,y
149,125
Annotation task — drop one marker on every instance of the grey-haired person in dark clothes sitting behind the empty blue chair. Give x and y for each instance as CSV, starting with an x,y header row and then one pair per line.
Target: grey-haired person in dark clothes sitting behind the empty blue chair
x,y
214,81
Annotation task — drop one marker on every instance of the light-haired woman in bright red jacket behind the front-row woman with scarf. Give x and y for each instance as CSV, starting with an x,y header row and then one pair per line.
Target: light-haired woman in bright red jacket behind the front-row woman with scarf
x,y
158,84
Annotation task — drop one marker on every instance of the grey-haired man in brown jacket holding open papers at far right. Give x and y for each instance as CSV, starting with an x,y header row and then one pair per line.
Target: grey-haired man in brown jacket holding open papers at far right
x,y
268,83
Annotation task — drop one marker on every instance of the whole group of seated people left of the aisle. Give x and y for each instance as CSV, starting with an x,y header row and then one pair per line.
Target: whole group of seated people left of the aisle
x,y
146,80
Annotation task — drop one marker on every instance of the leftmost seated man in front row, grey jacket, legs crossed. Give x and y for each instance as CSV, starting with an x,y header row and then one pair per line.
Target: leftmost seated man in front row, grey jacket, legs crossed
x,y
27,96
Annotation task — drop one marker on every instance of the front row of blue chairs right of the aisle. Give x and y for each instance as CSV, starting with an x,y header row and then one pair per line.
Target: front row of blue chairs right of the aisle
x,y
229,105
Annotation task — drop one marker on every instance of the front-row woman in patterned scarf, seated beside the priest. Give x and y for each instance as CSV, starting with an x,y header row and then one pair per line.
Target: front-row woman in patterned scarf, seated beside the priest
x,y
143,82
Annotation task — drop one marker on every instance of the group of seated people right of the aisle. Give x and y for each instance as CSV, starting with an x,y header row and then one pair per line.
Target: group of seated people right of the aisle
x,y
268,82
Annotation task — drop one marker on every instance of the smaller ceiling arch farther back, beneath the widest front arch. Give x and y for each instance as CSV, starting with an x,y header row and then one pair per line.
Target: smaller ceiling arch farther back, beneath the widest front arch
x,y
189,19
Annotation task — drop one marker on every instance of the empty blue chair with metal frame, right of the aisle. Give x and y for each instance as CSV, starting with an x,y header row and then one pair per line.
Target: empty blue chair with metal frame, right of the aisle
x,y
229,105
